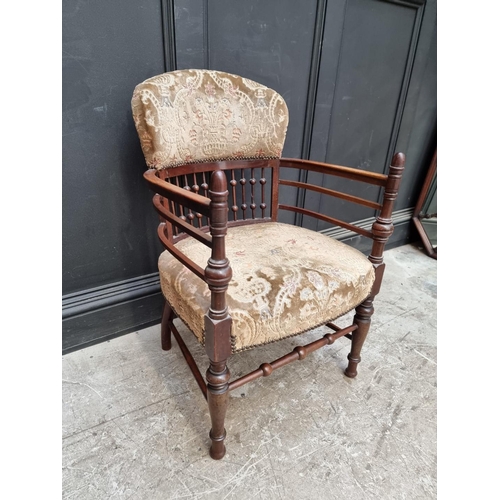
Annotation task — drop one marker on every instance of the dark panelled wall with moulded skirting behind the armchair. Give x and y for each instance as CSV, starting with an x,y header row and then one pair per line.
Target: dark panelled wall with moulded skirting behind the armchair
x,y
359,78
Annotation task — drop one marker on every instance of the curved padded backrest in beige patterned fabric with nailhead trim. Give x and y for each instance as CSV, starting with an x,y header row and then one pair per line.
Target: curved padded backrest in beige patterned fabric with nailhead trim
x,y
192,116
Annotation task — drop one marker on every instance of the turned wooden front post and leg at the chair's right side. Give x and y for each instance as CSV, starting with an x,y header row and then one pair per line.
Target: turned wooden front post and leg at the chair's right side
x,y
382,229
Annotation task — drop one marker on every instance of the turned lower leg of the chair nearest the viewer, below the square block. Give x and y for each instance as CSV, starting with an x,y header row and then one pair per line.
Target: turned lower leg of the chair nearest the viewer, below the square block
x,y
217,385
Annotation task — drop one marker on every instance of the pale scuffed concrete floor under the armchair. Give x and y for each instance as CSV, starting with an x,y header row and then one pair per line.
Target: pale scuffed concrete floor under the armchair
x,y
135,424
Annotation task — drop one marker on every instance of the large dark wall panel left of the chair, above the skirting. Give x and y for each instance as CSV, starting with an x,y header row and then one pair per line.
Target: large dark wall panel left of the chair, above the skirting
x,y
108,225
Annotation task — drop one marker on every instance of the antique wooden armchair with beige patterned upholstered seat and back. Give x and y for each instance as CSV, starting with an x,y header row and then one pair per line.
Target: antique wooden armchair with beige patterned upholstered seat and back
x,y
231,272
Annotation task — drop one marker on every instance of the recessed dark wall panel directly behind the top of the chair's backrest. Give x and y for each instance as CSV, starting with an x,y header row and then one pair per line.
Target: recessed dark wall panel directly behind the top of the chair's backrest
x,y
261,41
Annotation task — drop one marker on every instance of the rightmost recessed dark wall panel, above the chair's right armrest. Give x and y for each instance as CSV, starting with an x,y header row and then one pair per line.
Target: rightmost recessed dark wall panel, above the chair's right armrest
x,y
368,82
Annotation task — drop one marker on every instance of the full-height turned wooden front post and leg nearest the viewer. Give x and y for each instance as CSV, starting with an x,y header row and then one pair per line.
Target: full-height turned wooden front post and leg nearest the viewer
x,y
217,320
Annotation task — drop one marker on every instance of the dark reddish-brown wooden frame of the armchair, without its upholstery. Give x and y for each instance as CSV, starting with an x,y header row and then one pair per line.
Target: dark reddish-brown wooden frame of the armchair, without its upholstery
x,y
200,210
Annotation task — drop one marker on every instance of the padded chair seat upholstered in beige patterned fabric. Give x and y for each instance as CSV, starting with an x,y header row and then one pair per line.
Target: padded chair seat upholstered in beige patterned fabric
x,y
286,280
